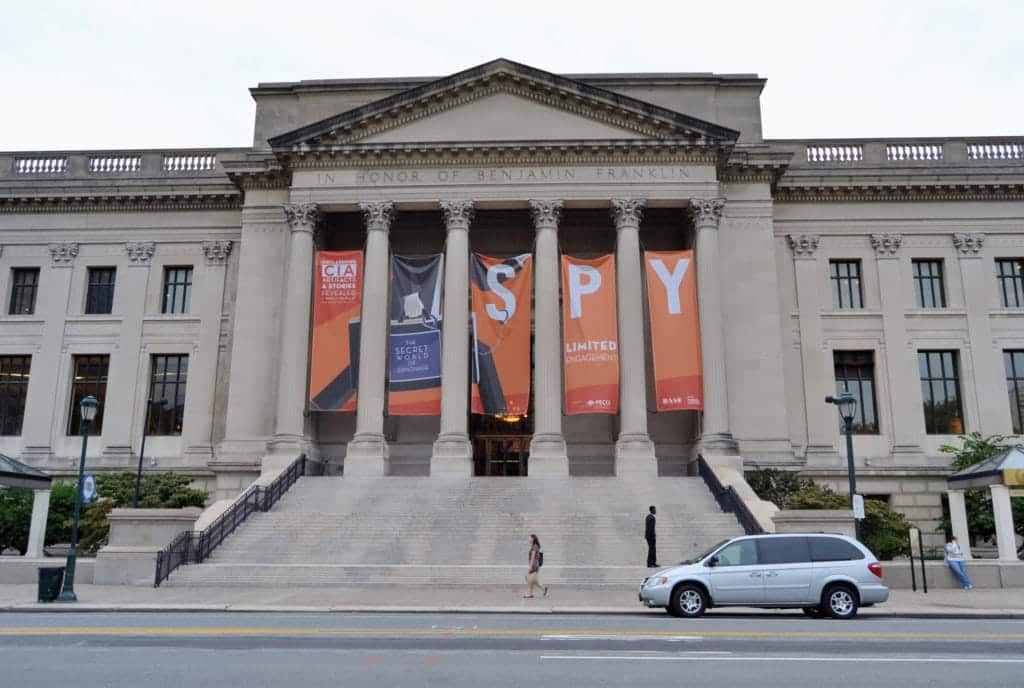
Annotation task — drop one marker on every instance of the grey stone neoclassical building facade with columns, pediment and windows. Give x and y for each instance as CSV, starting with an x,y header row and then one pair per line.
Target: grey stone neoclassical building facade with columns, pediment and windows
x,y
892,269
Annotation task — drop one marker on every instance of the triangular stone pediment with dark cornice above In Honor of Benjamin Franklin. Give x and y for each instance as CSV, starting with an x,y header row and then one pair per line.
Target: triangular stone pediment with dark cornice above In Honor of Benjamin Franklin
x,y
503,102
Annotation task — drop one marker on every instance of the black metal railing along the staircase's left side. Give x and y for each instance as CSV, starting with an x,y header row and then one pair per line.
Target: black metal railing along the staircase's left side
x,y
194,547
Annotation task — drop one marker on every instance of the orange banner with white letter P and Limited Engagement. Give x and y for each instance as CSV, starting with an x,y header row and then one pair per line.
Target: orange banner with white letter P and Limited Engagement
x,y
590,335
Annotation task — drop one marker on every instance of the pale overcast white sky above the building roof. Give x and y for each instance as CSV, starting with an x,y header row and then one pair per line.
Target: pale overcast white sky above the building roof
x,y
99,74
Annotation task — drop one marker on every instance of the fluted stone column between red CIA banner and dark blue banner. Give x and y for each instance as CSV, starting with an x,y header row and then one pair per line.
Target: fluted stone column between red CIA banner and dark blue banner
x,y
368,453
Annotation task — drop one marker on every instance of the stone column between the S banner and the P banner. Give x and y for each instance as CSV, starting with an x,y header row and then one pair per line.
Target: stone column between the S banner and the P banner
x,y
547,449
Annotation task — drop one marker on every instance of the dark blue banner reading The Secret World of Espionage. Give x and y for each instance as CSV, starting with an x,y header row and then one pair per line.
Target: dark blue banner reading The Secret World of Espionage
x,y
415,337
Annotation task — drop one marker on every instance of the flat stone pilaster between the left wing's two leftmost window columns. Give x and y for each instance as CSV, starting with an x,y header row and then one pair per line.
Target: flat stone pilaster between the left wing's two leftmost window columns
x,y
42,417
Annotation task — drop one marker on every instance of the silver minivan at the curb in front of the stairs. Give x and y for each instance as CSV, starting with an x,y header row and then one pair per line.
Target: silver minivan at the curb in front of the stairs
x,y
824,575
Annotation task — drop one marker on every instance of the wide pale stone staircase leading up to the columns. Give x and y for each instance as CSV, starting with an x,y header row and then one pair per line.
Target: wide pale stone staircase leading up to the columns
x,y
414,531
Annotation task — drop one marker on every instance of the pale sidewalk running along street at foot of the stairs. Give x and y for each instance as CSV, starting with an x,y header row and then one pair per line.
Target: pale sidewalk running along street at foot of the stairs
x,y
1006,604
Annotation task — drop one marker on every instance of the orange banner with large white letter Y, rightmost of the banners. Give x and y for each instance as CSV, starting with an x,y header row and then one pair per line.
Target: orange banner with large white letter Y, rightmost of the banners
x,y
675,330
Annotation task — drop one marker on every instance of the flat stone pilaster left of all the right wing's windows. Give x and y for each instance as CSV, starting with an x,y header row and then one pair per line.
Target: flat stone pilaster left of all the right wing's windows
x,y
822,423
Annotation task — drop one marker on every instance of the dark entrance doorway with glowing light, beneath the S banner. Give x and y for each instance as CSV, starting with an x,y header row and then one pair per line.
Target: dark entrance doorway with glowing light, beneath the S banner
x,y
501,445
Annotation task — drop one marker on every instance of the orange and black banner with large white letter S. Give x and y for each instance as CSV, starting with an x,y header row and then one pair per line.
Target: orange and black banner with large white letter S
x,y
501,325
